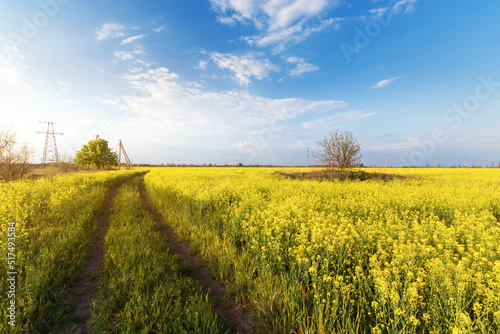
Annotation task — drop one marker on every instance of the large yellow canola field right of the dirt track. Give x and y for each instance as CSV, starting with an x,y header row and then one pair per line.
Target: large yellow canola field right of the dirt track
x,y
408,256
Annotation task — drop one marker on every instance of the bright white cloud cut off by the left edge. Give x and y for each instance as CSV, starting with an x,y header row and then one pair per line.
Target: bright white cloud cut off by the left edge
x,y
12,69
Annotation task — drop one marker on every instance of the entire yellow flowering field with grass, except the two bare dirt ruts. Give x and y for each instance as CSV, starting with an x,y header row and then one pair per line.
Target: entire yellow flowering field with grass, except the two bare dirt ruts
x,y
413,255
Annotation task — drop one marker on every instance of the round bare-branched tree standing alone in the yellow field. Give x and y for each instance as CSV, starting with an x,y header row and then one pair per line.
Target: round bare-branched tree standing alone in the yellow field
x,y
338,150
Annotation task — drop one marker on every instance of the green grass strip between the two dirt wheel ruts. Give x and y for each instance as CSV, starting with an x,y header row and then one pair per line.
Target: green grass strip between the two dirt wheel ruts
x,y
143,289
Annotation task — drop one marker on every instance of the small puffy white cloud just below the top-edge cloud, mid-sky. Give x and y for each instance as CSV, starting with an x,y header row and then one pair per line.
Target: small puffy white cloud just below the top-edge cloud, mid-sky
x,y
244,67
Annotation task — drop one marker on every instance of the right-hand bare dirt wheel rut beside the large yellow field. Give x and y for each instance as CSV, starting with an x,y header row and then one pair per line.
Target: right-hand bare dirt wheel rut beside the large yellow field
x,y
238,316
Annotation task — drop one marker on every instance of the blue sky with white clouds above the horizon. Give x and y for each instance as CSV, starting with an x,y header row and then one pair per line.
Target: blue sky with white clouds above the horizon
x,y
256,82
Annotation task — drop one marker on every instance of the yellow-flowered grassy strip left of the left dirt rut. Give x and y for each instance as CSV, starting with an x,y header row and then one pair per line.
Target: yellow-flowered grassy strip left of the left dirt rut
x,y
55,218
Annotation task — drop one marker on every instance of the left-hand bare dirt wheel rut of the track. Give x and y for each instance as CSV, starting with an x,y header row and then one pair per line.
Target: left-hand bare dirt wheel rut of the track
x,y
85,288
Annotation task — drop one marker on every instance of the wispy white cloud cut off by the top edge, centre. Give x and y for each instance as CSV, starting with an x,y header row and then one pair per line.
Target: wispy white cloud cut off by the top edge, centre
x,y
280,22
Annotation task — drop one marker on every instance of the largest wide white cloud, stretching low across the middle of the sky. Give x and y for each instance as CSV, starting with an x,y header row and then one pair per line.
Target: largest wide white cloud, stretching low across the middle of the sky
x,y
165,101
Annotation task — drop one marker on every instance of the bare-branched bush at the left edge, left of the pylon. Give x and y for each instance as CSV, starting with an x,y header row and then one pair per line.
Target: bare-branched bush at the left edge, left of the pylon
x,y
14,159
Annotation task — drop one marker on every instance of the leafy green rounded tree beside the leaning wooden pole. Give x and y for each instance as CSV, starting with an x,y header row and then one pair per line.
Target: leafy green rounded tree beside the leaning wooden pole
x,y
96,153
